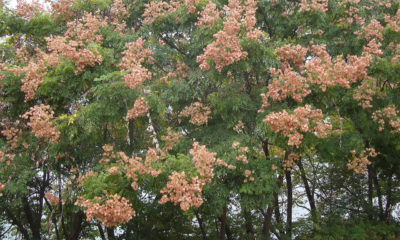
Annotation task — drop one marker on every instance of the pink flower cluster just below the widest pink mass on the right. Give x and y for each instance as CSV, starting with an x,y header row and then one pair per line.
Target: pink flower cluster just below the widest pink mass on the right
x,y
303,120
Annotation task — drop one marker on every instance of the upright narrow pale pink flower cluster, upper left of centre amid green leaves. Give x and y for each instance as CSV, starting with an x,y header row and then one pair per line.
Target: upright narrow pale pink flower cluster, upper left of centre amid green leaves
x,y
132,61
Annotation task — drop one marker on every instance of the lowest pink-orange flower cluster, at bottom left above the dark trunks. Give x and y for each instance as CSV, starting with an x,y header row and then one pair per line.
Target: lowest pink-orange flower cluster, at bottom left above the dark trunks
x,y
110,211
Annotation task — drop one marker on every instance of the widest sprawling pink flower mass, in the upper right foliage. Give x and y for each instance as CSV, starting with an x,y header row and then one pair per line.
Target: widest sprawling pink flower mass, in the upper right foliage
x,y
294,78
